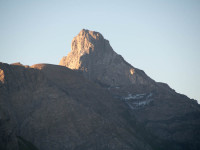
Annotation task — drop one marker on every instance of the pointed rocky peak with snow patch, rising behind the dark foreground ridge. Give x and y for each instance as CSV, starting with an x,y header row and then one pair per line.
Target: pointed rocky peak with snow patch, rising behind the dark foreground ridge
x,y
170,116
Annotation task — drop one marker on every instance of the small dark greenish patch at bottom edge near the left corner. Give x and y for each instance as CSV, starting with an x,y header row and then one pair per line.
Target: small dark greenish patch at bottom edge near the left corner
x,y
25,145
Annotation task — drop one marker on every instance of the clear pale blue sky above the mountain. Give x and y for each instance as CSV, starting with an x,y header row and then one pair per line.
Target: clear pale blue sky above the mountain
x,y
161,37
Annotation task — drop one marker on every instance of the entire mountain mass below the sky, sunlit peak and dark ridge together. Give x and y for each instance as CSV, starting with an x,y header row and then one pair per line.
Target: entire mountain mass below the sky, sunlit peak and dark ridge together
x,y
93,100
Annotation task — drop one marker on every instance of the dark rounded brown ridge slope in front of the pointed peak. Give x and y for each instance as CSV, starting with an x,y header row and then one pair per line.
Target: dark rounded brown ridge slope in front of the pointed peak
x,y
54,107
